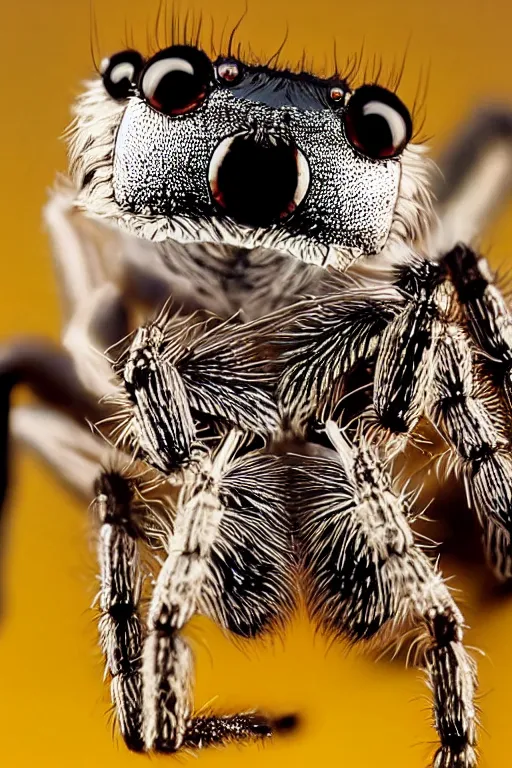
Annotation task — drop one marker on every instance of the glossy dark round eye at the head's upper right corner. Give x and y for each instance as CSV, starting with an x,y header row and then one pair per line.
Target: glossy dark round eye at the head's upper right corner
x,y
377,123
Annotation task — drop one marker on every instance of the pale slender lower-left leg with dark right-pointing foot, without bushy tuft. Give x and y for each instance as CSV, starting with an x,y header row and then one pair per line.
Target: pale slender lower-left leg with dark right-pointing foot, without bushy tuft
x,y
168,663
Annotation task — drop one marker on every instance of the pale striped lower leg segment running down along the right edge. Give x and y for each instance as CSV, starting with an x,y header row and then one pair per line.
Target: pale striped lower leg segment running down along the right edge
x,y
483,448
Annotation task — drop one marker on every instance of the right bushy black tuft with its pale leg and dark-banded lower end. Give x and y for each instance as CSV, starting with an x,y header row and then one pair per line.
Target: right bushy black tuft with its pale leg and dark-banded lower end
x,y
364,573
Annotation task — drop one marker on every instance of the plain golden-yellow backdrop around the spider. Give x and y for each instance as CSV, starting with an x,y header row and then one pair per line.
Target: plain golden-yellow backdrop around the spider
x,y
53,702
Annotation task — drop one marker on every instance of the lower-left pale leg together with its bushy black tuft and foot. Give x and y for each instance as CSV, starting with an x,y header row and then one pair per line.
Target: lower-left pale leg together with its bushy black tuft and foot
x,y
254,592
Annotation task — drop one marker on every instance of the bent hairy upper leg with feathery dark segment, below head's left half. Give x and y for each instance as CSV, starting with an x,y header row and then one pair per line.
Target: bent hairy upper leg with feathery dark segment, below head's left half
x,y
181,374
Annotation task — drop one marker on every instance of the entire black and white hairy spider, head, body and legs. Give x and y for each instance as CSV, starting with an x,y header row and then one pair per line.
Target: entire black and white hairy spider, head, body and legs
x,y
233,241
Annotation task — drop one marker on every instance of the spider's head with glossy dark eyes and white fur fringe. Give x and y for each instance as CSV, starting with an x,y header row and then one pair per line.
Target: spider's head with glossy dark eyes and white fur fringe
x,y
178,147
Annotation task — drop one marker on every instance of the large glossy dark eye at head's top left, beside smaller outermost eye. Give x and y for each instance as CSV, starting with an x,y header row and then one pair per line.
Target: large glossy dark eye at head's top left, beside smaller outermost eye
x,y
177,80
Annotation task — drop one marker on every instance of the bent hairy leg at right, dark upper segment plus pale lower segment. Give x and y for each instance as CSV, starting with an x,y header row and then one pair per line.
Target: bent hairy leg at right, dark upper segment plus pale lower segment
x,y
424,362
